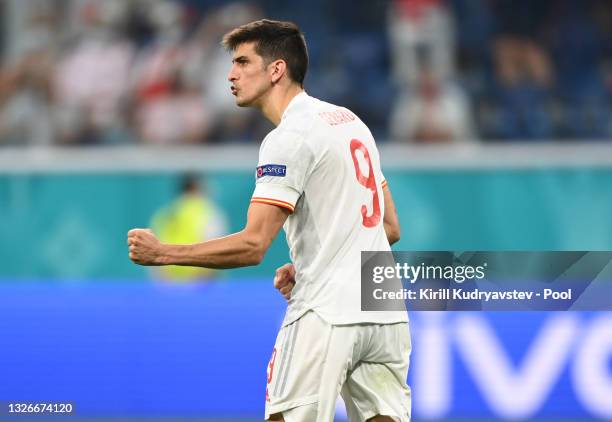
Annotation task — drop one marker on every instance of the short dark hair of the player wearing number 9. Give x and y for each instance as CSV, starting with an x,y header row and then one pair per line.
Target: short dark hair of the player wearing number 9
x,y
274,40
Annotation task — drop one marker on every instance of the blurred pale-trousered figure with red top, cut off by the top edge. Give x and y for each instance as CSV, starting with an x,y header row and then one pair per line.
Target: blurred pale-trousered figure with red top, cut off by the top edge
x,y
421,34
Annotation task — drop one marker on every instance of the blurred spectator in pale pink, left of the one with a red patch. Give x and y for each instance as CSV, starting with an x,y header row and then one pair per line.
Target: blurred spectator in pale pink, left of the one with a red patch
x,y
92,77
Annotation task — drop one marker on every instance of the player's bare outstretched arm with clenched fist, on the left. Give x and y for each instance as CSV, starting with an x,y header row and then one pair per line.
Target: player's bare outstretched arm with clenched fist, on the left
x,y
241,249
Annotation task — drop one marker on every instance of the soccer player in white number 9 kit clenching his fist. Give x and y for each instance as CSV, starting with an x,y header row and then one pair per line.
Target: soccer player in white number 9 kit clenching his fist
x,y
319,175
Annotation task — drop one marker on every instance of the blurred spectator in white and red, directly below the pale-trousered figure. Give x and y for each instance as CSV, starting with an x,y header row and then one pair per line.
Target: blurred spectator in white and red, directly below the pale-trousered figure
x,y
434,111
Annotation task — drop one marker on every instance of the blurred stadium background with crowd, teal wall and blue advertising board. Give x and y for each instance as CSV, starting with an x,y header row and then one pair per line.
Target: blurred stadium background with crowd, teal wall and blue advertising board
x,y
510,150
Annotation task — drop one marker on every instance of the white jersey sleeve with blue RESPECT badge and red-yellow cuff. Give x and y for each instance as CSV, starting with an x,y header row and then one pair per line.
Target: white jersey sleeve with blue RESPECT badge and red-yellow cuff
x,y
283,168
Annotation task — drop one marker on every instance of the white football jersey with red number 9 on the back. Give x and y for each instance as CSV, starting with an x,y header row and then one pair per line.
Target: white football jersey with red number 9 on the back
x,y
322,164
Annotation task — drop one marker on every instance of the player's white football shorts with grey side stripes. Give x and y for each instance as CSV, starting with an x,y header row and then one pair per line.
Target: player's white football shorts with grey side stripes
x,y
313,361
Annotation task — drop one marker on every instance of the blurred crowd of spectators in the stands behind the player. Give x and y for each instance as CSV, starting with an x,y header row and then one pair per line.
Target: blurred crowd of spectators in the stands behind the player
x,y
116,71
